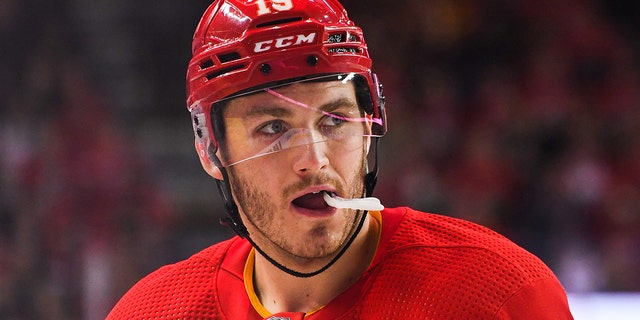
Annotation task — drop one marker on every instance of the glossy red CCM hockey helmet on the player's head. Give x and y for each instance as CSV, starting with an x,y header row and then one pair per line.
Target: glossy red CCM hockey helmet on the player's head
x,y
240,45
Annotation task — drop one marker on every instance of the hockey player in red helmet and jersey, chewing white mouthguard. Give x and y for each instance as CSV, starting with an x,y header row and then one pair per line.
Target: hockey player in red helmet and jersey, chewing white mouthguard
x,y
287,116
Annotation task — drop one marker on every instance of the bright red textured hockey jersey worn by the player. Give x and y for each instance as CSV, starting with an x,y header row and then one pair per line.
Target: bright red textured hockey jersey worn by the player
x,y
426,267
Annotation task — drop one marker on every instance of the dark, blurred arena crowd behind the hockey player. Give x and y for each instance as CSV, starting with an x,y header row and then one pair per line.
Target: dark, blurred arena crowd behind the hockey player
x,y
520,115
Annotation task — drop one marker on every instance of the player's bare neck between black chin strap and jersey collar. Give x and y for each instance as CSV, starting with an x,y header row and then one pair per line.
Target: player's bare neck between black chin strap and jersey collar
x,y
280,292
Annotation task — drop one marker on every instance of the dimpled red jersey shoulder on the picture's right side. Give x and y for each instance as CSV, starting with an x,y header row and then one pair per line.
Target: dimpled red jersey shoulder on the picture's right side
x,y
462,269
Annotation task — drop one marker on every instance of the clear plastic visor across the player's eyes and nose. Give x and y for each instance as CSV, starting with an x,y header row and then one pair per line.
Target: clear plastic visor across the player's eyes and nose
x,y
324,112
